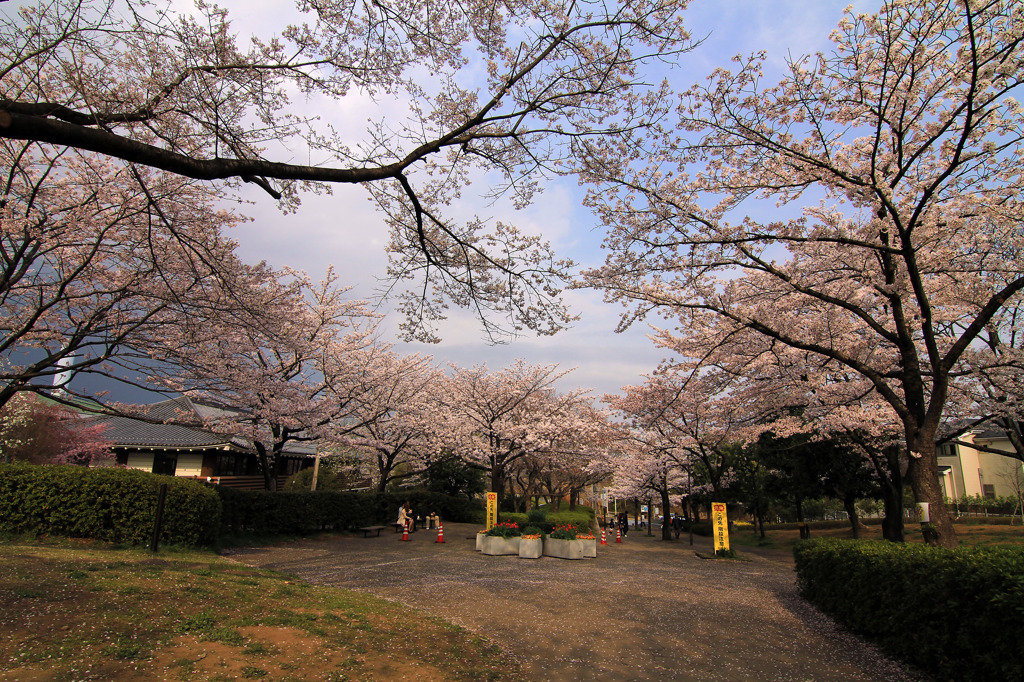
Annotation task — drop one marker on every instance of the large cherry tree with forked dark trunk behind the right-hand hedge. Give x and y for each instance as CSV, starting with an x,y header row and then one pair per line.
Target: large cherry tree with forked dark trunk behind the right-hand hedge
x,y
905,142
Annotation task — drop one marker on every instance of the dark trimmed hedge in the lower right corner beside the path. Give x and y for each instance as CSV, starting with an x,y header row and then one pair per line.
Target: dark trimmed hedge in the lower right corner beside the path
x,y
955,614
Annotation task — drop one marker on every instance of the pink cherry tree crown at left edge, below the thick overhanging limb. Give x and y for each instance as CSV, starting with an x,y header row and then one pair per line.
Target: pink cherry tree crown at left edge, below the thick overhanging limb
x,y
96,259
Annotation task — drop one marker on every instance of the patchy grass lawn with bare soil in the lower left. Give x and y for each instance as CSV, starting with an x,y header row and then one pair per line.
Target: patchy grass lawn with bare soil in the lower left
x,y
84,612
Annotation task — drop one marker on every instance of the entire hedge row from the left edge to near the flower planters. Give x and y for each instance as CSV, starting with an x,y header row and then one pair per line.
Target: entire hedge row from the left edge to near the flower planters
x,y
119,505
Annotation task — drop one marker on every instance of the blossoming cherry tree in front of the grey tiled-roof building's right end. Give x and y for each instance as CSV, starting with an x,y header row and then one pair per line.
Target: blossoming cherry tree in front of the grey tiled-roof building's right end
x,y
296,361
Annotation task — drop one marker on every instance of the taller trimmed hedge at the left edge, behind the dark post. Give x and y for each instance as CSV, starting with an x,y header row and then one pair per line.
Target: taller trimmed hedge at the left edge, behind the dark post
x,y
108,504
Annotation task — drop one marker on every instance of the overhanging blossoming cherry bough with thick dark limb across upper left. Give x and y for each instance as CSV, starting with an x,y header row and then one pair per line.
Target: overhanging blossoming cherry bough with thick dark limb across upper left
x,y
502,90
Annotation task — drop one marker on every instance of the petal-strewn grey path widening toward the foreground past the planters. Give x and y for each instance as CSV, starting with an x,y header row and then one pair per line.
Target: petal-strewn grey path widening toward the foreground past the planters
x,y
645,610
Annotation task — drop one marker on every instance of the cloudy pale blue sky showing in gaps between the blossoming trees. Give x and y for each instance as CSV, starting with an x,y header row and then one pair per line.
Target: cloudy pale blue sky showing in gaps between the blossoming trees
x,y
345,230
